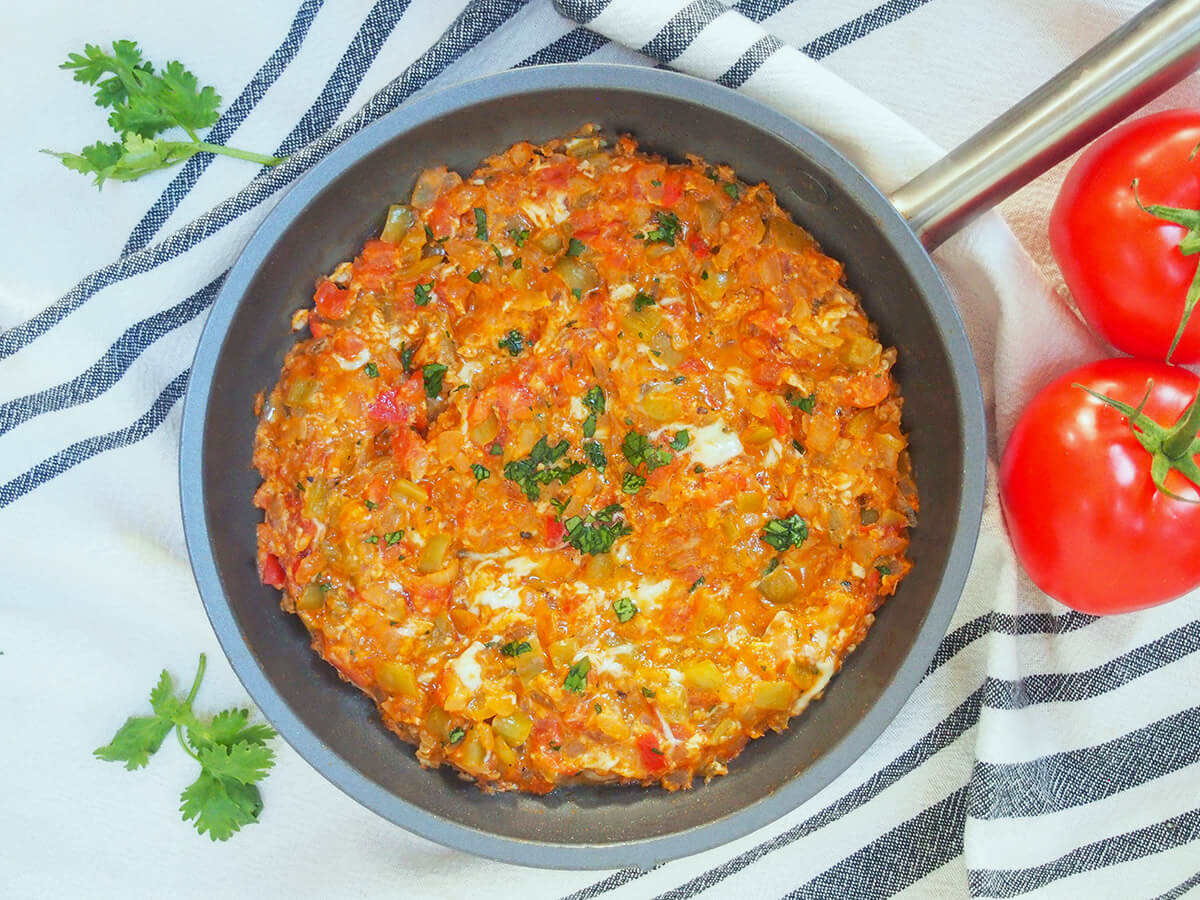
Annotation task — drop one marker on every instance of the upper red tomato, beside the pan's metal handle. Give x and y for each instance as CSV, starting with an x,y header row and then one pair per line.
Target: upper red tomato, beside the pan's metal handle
x,y
1123,265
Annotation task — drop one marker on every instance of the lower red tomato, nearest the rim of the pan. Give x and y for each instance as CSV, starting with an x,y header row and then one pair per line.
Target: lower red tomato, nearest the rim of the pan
x,y
1083,512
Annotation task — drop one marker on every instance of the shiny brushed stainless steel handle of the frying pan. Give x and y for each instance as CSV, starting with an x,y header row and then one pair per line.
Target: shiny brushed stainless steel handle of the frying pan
x,y
1154,51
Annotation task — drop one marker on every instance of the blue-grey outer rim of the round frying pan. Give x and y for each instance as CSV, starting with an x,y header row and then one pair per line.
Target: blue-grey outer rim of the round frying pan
x,y
643,853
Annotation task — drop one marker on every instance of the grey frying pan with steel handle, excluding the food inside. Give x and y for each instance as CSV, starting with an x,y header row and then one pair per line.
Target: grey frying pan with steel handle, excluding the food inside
x,y
331,212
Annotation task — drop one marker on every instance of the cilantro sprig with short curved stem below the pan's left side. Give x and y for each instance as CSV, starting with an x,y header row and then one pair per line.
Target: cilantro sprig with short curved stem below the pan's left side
x,y
232,753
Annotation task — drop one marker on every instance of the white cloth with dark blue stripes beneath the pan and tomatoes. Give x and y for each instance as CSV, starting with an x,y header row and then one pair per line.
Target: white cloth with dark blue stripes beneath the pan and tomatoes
x,y
1046,753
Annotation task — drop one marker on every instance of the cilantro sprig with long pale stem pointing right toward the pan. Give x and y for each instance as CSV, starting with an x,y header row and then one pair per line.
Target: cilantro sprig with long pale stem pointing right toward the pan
x,y
145,104
